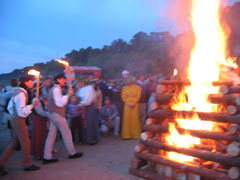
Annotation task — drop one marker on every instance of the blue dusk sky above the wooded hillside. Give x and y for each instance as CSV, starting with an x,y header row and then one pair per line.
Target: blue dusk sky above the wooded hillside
x,y
33,31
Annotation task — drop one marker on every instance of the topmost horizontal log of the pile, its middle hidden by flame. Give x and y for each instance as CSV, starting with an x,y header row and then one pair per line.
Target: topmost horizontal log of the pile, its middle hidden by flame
x,y
188,83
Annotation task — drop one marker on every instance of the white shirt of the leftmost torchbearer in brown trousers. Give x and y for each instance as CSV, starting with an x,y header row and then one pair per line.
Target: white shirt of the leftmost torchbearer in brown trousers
x,y
20,100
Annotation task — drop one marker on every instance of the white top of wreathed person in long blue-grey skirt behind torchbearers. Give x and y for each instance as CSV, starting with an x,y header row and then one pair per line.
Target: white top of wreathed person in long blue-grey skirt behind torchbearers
x,y
86,94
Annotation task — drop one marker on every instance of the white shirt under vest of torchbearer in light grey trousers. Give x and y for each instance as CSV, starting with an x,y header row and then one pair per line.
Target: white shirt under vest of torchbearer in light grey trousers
x,y
59,99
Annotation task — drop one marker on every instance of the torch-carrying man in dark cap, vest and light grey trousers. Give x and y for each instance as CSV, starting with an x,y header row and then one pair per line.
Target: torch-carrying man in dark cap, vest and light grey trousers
x,y
57,117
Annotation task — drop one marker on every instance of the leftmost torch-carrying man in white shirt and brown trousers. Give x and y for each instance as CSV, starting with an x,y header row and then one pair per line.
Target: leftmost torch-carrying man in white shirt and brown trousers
x,y
19,110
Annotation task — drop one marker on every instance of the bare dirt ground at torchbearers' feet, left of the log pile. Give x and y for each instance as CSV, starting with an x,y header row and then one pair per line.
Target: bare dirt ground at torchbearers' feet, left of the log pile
x,y
108,160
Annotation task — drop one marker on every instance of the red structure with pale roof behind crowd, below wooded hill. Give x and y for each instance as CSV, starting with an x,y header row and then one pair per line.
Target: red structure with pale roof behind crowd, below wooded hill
x,y
84,71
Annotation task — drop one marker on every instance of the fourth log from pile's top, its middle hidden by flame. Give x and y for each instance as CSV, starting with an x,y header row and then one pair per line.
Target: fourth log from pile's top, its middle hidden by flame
x,y
156,128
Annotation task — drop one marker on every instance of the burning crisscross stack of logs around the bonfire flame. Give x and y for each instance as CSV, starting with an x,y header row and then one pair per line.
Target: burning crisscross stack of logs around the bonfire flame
x,y
220,161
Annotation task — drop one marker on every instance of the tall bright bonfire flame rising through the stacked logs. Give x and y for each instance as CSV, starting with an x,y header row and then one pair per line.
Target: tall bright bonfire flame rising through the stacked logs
x,y
207,56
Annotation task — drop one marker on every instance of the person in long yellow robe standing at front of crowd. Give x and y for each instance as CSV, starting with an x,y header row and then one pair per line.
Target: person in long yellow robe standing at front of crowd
x,y
131,125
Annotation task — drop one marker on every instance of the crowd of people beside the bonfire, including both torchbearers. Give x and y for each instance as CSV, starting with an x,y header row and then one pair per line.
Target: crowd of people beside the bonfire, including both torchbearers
x,y
79,114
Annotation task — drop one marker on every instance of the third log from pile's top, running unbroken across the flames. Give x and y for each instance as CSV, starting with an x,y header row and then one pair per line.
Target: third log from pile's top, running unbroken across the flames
x,y
217,117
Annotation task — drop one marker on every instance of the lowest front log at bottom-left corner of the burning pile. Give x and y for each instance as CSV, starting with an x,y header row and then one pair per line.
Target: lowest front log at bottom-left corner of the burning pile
x,y
147,174
